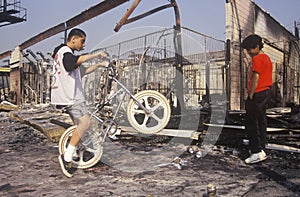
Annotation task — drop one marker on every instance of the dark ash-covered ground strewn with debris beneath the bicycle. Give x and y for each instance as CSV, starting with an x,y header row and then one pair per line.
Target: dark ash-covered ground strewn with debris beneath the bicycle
x,y
29,167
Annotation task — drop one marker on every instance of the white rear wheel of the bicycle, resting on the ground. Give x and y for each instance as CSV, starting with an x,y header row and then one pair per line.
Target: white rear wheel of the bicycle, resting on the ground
x,y
89,149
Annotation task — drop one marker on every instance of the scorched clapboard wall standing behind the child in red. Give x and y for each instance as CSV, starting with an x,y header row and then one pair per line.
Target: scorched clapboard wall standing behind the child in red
x,y
244,18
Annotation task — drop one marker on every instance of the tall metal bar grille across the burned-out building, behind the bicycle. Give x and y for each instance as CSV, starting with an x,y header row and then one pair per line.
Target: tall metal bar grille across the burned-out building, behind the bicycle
x,y
148,62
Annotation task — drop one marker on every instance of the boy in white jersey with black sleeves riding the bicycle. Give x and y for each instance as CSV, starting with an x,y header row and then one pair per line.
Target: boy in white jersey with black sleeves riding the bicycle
x,y
67,89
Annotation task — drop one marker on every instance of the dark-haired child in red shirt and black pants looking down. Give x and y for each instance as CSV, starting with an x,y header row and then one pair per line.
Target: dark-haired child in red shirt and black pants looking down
x,y
260,82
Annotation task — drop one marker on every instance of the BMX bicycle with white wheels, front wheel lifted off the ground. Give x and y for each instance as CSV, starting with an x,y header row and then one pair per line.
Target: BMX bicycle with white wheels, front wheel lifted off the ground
x,y
148,112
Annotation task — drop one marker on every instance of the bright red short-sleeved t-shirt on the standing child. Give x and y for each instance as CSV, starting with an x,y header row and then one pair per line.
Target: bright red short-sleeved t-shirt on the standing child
x,y
262,65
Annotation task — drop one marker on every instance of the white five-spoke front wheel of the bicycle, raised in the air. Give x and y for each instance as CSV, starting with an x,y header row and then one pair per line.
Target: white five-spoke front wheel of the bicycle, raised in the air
x,y
157,117
